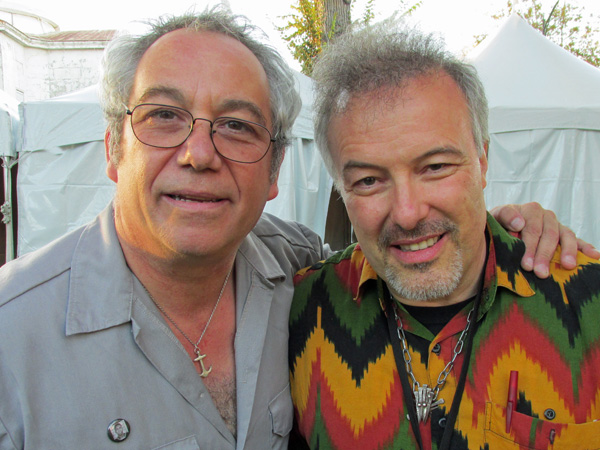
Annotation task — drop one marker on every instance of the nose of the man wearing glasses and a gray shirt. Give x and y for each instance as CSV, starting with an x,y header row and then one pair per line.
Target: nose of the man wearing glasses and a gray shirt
x,y
198,149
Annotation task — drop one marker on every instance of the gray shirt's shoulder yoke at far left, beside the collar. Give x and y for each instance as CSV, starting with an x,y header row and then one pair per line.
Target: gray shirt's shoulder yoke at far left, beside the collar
x,y
38,267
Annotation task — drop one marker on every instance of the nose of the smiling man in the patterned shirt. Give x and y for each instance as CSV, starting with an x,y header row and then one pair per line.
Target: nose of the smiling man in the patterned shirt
x,y
409,205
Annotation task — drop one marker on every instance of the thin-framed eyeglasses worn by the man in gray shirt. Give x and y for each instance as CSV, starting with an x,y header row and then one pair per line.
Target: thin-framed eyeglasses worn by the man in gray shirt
x,y
164,126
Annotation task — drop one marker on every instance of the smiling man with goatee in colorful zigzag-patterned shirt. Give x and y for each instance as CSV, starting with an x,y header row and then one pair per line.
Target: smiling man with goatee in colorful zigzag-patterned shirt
x,y
427,334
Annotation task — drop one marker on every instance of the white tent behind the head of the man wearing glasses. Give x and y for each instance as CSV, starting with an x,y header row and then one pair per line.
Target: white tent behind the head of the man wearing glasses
x,y
62,181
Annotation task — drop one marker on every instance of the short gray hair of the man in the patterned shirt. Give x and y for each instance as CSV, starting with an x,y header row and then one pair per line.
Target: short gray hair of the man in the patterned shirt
x,y
384,55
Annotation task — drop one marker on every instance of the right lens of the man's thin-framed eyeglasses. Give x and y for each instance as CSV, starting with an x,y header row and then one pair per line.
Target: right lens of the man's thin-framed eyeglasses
x,y
240,140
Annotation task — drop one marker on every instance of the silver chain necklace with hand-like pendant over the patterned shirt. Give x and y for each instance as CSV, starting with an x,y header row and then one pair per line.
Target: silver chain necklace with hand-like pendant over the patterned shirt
x,y
426,398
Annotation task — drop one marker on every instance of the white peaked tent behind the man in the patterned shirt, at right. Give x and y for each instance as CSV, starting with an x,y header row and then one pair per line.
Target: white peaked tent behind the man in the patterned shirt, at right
x,y
544,126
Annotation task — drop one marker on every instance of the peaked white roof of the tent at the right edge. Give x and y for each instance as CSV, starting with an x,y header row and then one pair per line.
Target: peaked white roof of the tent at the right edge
x,y
532,83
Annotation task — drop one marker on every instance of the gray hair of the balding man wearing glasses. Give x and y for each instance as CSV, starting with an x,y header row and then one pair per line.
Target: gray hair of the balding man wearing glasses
x,y
123,54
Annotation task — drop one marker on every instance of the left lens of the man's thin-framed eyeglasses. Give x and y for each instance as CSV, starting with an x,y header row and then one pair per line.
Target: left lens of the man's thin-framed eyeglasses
x,y
161,125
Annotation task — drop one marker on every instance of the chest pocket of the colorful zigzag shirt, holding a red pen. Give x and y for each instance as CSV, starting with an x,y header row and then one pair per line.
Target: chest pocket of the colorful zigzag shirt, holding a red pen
x,y
528,432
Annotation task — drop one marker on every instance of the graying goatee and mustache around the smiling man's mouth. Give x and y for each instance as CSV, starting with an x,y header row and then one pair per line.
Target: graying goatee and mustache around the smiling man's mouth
x,y
423,281
